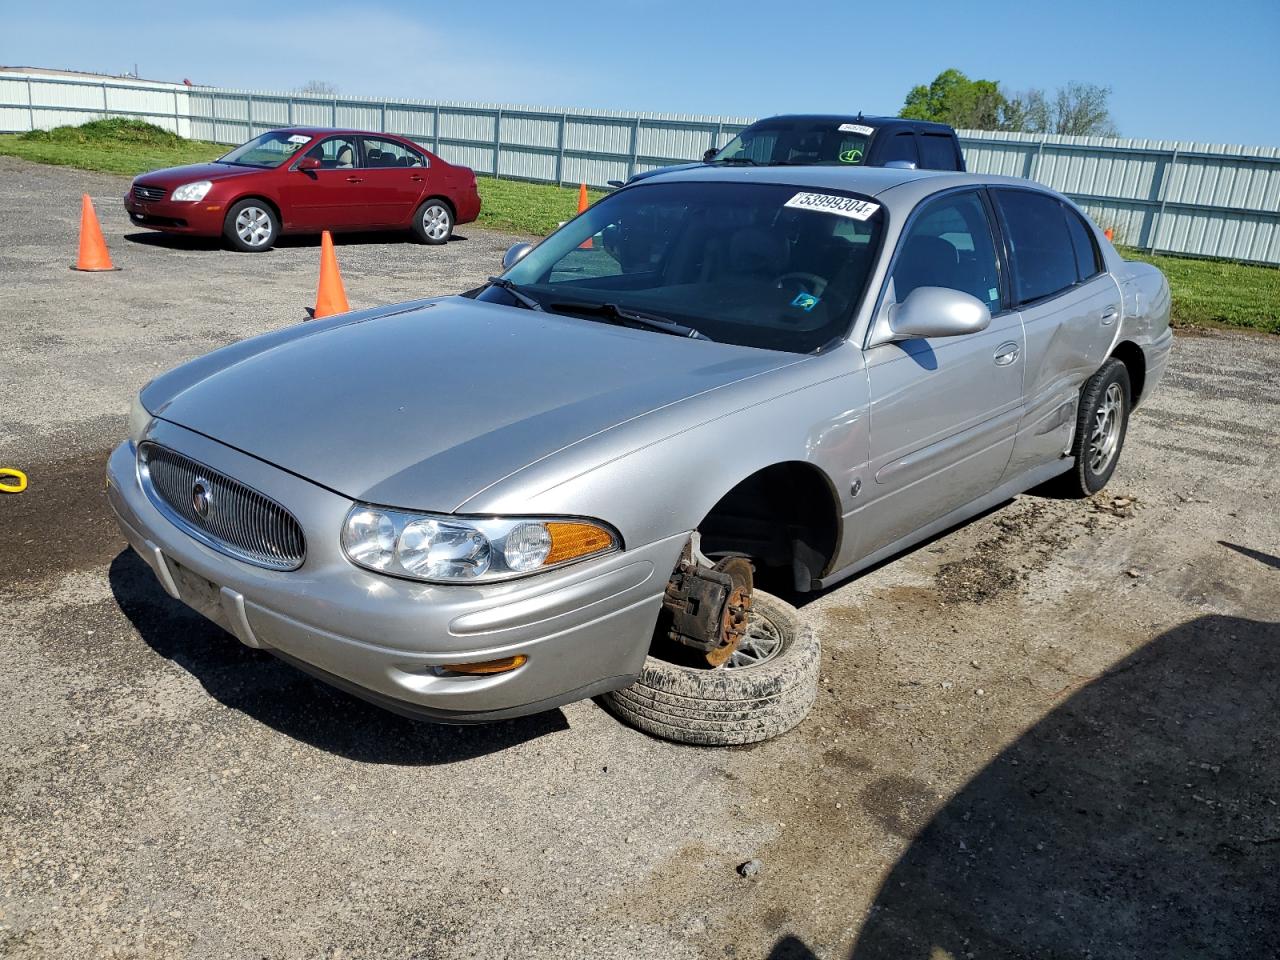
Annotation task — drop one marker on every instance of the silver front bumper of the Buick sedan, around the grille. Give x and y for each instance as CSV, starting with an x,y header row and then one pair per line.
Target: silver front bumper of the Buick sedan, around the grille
x,y
586,629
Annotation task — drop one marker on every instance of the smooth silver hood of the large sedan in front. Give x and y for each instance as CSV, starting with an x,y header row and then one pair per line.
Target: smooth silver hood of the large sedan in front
x,y
424,408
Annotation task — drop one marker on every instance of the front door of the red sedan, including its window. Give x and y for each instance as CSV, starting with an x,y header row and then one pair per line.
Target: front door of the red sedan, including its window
x,y
330,198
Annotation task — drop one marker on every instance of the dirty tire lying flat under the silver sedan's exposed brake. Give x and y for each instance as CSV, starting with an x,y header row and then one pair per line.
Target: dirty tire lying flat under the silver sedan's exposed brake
x,y
729,706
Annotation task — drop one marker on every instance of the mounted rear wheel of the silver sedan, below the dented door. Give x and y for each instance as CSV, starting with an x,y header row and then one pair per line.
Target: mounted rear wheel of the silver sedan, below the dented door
x,y
1101,424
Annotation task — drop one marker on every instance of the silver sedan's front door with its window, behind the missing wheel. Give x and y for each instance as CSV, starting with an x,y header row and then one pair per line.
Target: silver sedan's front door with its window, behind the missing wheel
x,y
944,412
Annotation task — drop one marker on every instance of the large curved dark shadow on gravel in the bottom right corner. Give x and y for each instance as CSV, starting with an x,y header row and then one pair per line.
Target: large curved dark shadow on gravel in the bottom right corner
x,y
1137,820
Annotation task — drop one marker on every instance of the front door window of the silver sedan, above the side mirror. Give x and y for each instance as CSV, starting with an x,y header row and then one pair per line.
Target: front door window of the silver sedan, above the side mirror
x,y
950,245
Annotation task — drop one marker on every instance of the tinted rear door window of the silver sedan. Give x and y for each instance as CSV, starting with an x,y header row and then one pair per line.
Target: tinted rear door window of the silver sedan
x,y
1044,260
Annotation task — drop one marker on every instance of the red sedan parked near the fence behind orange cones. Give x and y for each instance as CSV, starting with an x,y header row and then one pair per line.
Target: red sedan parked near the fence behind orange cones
x,y
305,180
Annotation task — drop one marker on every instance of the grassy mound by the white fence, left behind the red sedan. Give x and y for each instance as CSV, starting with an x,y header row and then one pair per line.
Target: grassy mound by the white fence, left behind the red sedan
x,y
113,145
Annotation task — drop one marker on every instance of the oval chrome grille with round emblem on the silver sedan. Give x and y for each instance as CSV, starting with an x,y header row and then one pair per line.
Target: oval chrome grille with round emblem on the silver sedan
x,y
236,519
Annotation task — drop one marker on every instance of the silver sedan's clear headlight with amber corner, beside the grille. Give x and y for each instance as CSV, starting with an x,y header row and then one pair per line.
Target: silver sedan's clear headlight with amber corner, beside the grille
x,y
446,550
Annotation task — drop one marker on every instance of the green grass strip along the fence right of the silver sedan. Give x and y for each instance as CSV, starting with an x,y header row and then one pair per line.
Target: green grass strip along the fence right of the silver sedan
x,y
1219,292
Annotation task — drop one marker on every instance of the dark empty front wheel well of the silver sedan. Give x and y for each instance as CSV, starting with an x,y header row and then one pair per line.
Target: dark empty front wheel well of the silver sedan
x,y
785,518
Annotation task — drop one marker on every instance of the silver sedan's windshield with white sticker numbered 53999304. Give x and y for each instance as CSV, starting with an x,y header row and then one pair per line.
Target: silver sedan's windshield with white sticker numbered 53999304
x,y
755,264
